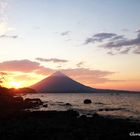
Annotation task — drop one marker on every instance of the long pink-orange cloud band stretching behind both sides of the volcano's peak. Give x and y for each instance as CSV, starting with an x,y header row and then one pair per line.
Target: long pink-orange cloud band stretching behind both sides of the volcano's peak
x,y
28,67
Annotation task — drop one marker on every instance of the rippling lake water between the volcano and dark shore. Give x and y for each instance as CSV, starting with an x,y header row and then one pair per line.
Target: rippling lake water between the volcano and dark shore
x,y
118,105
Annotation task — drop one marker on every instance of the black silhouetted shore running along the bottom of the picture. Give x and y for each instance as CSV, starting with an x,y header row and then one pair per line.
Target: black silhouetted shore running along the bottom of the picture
x,y
67,125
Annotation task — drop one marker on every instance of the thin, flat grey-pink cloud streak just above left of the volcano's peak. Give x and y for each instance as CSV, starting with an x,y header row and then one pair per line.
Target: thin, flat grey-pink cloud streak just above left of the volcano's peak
x,y
54,60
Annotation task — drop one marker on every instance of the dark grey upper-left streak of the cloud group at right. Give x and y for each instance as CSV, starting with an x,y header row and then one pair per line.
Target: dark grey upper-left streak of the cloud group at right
x,y
99,37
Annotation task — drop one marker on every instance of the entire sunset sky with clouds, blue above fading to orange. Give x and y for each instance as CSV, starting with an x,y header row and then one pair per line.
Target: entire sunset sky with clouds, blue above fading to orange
x,y
96,42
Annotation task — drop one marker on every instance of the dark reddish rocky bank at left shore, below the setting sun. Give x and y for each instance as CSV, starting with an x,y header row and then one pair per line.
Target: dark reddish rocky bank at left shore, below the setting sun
x,y
10,101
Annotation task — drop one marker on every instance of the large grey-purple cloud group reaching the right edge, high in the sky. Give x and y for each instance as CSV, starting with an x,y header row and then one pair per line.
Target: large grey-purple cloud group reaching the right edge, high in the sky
x,y
117,44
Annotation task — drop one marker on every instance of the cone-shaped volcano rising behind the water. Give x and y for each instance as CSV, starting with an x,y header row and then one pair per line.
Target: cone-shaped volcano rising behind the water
x,y
60,83
